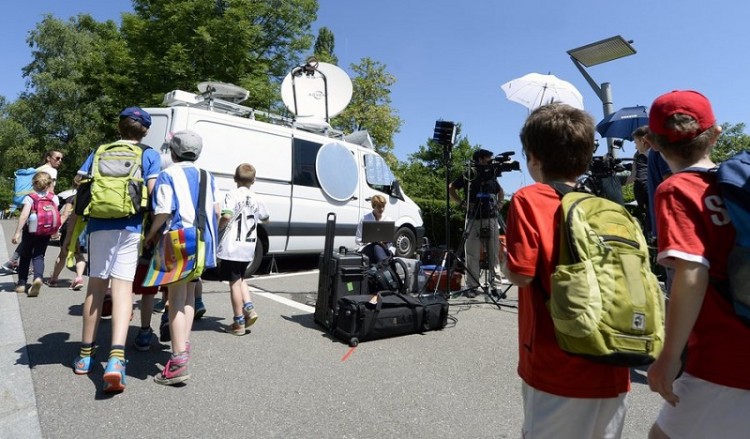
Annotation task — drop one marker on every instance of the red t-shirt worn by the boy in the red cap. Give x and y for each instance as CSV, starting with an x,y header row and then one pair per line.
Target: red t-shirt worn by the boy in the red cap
x,y
693,225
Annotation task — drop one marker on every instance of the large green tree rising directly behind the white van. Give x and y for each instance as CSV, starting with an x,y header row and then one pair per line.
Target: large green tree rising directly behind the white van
x,y
250,43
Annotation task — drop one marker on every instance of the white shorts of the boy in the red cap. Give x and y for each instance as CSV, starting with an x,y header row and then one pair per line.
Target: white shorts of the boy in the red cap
x,y
706,410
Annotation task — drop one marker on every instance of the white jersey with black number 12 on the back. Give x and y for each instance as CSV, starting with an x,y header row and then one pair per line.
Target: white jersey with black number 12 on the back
x,y
237,240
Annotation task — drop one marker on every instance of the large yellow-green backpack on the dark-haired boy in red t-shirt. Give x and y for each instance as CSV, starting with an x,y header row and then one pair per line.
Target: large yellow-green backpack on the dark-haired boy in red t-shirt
x,y
606,304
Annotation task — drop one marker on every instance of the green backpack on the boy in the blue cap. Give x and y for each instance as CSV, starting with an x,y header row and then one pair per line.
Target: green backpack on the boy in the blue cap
x,y
115,187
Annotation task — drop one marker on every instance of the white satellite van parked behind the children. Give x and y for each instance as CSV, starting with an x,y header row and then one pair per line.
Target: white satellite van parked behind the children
x,y
304,170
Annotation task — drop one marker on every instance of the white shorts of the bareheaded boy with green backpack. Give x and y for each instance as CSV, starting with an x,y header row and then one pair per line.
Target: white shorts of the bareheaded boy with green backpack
x,y
551,416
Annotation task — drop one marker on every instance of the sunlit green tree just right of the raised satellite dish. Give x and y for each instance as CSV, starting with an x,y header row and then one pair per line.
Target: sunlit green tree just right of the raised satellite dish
x,y
370,108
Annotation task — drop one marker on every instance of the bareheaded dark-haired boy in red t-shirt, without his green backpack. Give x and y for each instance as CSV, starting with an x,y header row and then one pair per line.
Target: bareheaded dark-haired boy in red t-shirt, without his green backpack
x,y
563,395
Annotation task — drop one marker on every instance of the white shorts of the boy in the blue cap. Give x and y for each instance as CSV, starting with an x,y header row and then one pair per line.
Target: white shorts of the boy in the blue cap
x,y
113,253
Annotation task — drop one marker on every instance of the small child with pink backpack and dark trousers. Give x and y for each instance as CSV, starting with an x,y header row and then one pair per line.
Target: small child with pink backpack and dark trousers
x,y
35,241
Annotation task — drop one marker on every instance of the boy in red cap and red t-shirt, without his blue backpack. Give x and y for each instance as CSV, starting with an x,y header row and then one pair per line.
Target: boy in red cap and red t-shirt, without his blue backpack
x,y
711,398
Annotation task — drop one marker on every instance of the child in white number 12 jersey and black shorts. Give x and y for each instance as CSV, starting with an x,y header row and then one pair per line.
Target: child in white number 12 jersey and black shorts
x,y
240,215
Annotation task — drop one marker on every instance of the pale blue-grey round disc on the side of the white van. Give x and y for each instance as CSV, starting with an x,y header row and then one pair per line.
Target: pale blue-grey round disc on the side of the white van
x,y
337,170
